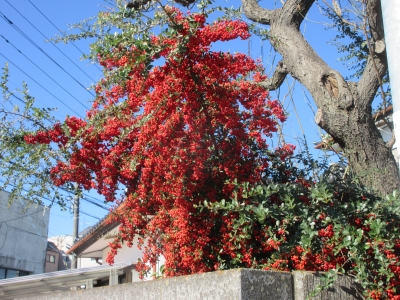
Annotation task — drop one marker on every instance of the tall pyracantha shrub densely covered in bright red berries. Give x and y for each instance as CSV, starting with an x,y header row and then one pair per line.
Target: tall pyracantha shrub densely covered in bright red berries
x,y
172,136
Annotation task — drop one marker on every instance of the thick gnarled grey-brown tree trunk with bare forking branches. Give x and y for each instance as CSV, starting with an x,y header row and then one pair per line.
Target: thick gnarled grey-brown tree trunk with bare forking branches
x,y
344,107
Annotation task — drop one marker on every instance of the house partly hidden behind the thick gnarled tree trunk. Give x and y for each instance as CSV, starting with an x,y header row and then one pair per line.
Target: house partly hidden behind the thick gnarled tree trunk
x,y
383,121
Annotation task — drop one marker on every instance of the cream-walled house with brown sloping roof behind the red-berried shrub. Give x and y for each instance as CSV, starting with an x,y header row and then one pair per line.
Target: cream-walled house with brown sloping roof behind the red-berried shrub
x,y
95,245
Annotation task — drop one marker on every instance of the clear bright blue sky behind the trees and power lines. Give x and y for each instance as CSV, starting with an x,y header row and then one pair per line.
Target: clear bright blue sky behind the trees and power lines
x,y
64,76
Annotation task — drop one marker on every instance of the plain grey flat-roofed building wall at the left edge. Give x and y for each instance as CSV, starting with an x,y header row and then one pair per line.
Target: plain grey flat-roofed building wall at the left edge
x,y
23,235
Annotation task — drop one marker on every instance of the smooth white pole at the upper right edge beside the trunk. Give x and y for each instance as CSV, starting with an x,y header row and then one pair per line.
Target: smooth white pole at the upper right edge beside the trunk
x,y
391,23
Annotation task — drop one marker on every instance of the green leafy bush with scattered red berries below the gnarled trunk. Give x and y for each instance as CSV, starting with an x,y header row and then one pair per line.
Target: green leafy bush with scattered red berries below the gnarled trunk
x,y
334,226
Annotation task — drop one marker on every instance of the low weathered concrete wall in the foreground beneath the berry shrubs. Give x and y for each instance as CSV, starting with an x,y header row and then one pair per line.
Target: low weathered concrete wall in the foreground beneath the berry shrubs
x,y
237,284
